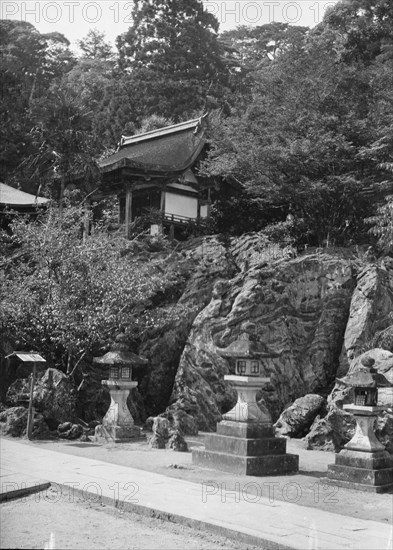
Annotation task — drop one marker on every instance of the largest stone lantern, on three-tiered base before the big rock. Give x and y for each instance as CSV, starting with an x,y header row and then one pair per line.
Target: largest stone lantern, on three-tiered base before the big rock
x,y
245,441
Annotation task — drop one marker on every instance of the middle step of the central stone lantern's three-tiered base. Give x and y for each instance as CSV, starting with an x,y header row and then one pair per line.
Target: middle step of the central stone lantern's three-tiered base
x,y
245,447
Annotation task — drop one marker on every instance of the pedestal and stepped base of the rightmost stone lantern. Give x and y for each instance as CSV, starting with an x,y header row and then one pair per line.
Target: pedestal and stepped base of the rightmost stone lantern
x,y
363,464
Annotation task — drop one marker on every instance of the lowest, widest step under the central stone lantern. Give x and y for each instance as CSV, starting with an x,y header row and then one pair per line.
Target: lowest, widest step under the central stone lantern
x,y
246,465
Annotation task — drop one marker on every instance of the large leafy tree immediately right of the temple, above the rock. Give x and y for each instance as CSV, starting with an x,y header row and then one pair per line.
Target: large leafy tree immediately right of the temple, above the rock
x,y
297,145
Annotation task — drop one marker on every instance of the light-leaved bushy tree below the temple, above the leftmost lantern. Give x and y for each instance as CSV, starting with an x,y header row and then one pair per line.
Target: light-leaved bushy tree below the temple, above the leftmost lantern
x,y
67,296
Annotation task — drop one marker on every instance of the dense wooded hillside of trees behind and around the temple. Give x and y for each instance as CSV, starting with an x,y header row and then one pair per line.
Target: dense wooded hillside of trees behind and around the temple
x,y
302,118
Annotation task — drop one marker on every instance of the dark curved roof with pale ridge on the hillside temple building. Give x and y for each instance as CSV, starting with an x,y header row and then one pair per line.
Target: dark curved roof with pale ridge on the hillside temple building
x,y
166,150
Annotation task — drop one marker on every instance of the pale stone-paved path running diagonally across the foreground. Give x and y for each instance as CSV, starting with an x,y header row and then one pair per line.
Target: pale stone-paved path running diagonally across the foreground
x,y
251,518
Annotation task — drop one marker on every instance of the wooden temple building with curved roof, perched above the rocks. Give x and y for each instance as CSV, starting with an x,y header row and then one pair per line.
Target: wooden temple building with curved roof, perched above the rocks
x,y
157,170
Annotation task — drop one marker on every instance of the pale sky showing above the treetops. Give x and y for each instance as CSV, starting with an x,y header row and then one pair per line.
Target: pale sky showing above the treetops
x,y
74,18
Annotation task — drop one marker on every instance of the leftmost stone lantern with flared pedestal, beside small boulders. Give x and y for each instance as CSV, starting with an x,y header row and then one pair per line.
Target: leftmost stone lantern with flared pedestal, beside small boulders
x,y
118,424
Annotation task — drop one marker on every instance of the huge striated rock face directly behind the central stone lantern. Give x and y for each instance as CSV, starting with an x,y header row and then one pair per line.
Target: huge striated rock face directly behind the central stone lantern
x,y
300,308
